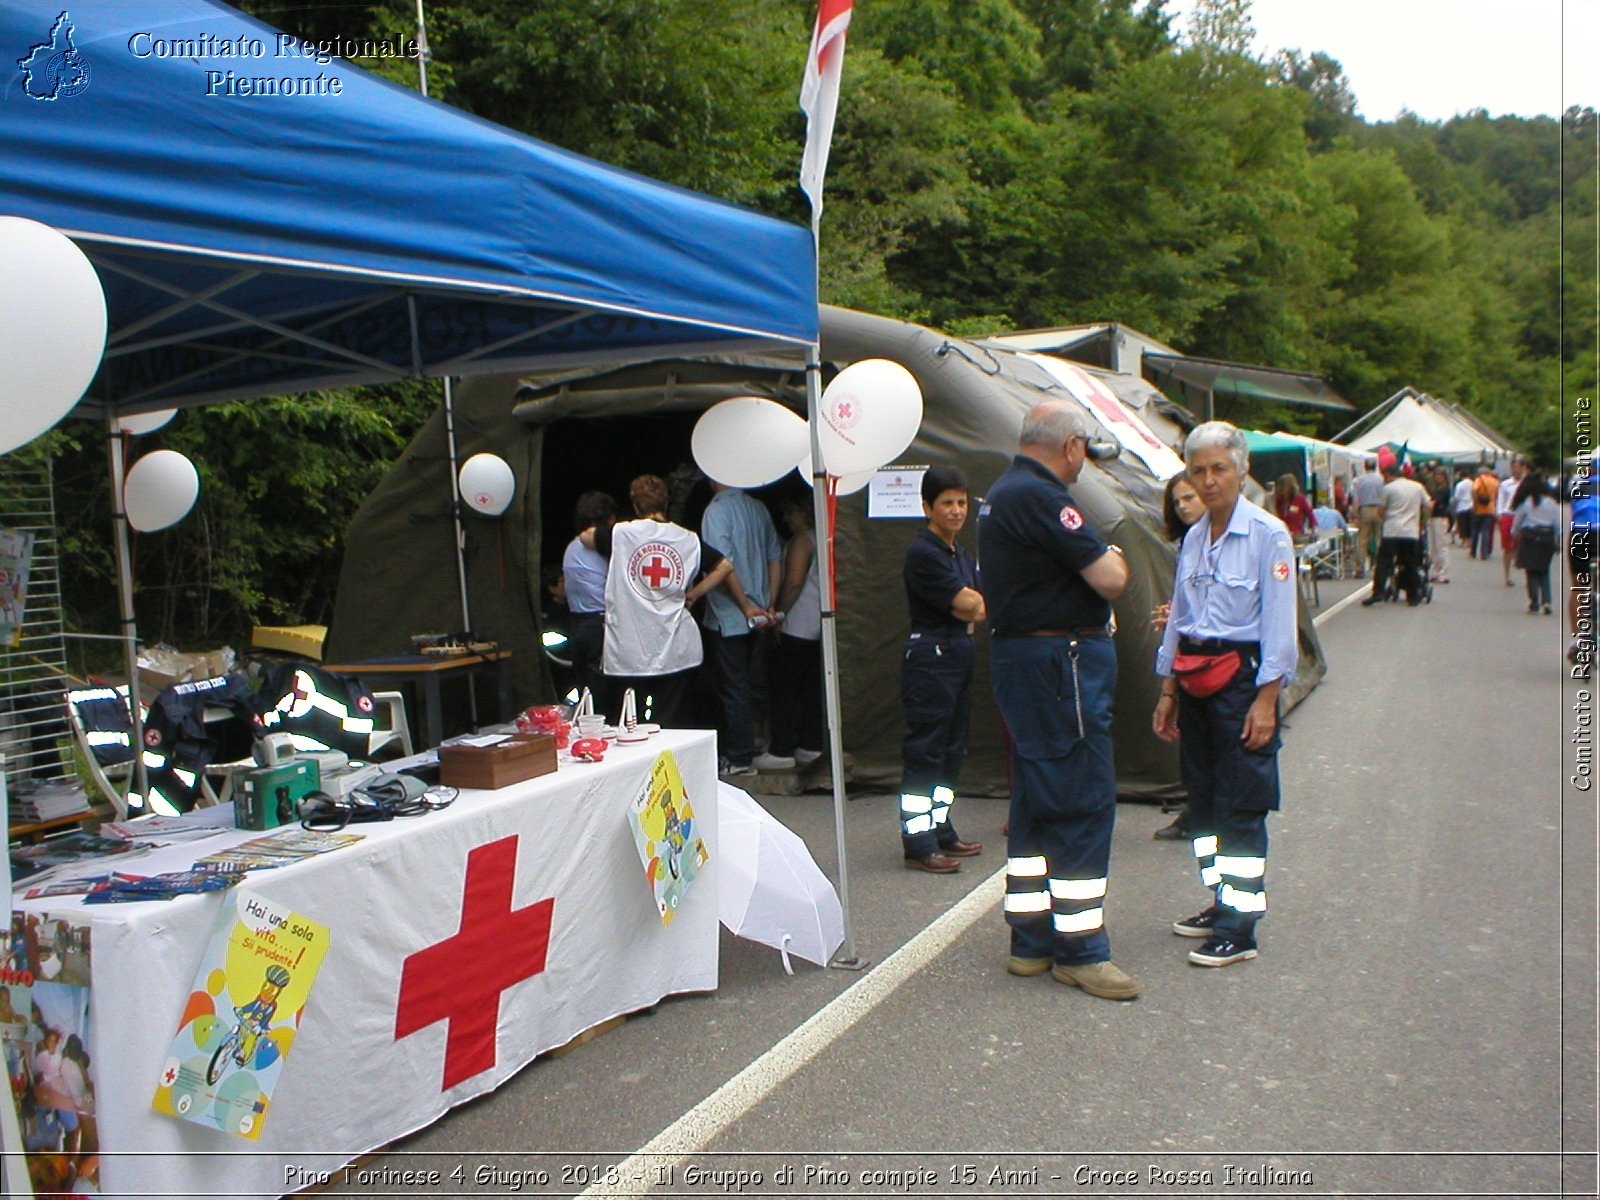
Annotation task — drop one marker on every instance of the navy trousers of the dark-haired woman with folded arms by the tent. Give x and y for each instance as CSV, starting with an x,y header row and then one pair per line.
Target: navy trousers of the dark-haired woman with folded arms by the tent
x,y
937,686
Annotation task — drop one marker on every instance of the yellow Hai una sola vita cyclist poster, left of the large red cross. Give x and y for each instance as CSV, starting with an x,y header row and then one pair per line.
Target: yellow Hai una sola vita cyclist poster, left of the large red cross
x,y
242,1015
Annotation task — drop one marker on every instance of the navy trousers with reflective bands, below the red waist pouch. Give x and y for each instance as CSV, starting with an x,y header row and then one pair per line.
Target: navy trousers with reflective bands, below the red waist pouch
x,y
1231,791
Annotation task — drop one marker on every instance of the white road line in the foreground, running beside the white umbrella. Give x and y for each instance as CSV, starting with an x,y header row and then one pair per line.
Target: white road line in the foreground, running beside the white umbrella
x,y
742,1094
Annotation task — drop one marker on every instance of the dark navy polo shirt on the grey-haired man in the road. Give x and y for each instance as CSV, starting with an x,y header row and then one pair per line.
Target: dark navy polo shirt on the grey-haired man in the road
x,y
1033,543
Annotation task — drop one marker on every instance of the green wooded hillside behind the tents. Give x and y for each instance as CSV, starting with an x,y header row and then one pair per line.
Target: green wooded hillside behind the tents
x,y
998,164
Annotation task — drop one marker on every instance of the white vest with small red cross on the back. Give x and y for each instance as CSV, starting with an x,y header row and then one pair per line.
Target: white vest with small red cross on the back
x,y
649,630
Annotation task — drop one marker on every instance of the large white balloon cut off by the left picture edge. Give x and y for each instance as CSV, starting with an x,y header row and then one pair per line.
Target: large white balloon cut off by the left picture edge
x,y
52,329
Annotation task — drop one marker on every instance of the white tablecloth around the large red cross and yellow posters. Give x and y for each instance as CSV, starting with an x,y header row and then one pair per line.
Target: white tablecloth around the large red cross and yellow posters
x,y
350,1082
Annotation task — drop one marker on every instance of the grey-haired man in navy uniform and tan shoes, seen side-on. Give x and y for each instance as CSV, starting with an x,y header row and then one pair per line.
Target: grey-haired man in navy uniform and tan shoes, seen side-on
x,y
1049,580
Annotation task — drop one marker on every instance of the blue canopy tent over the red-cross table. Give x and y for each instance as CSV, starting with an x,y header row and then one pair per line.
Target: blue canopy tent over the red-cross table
x,y
268,223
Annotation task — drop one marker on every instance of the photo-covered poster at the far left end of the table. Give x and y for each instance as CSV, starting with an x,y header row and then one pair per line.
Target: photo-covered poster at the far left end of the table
x,y
46,1033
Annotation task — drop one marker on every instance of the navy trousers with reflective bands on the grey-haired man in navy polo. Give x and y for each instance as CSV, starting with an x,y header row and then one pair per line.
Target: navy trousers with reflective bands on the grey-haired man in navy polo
x,y
1055,695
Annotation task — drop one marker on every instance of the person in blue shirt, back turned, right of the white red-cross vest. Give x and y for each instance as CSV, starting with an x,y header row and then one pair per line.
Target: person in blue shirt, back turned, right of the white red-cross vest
x,y
743,530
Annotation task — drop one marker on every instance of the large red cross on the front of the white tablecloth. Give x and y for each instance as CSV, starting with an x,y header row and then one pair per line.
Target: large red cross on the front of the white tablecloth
x,y
462,978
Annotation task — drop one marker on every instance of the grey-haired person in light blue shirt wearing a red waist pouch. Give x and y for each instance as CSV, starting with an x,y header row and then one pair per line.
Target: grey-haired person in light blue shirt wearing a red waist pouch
x,y
1230,647
